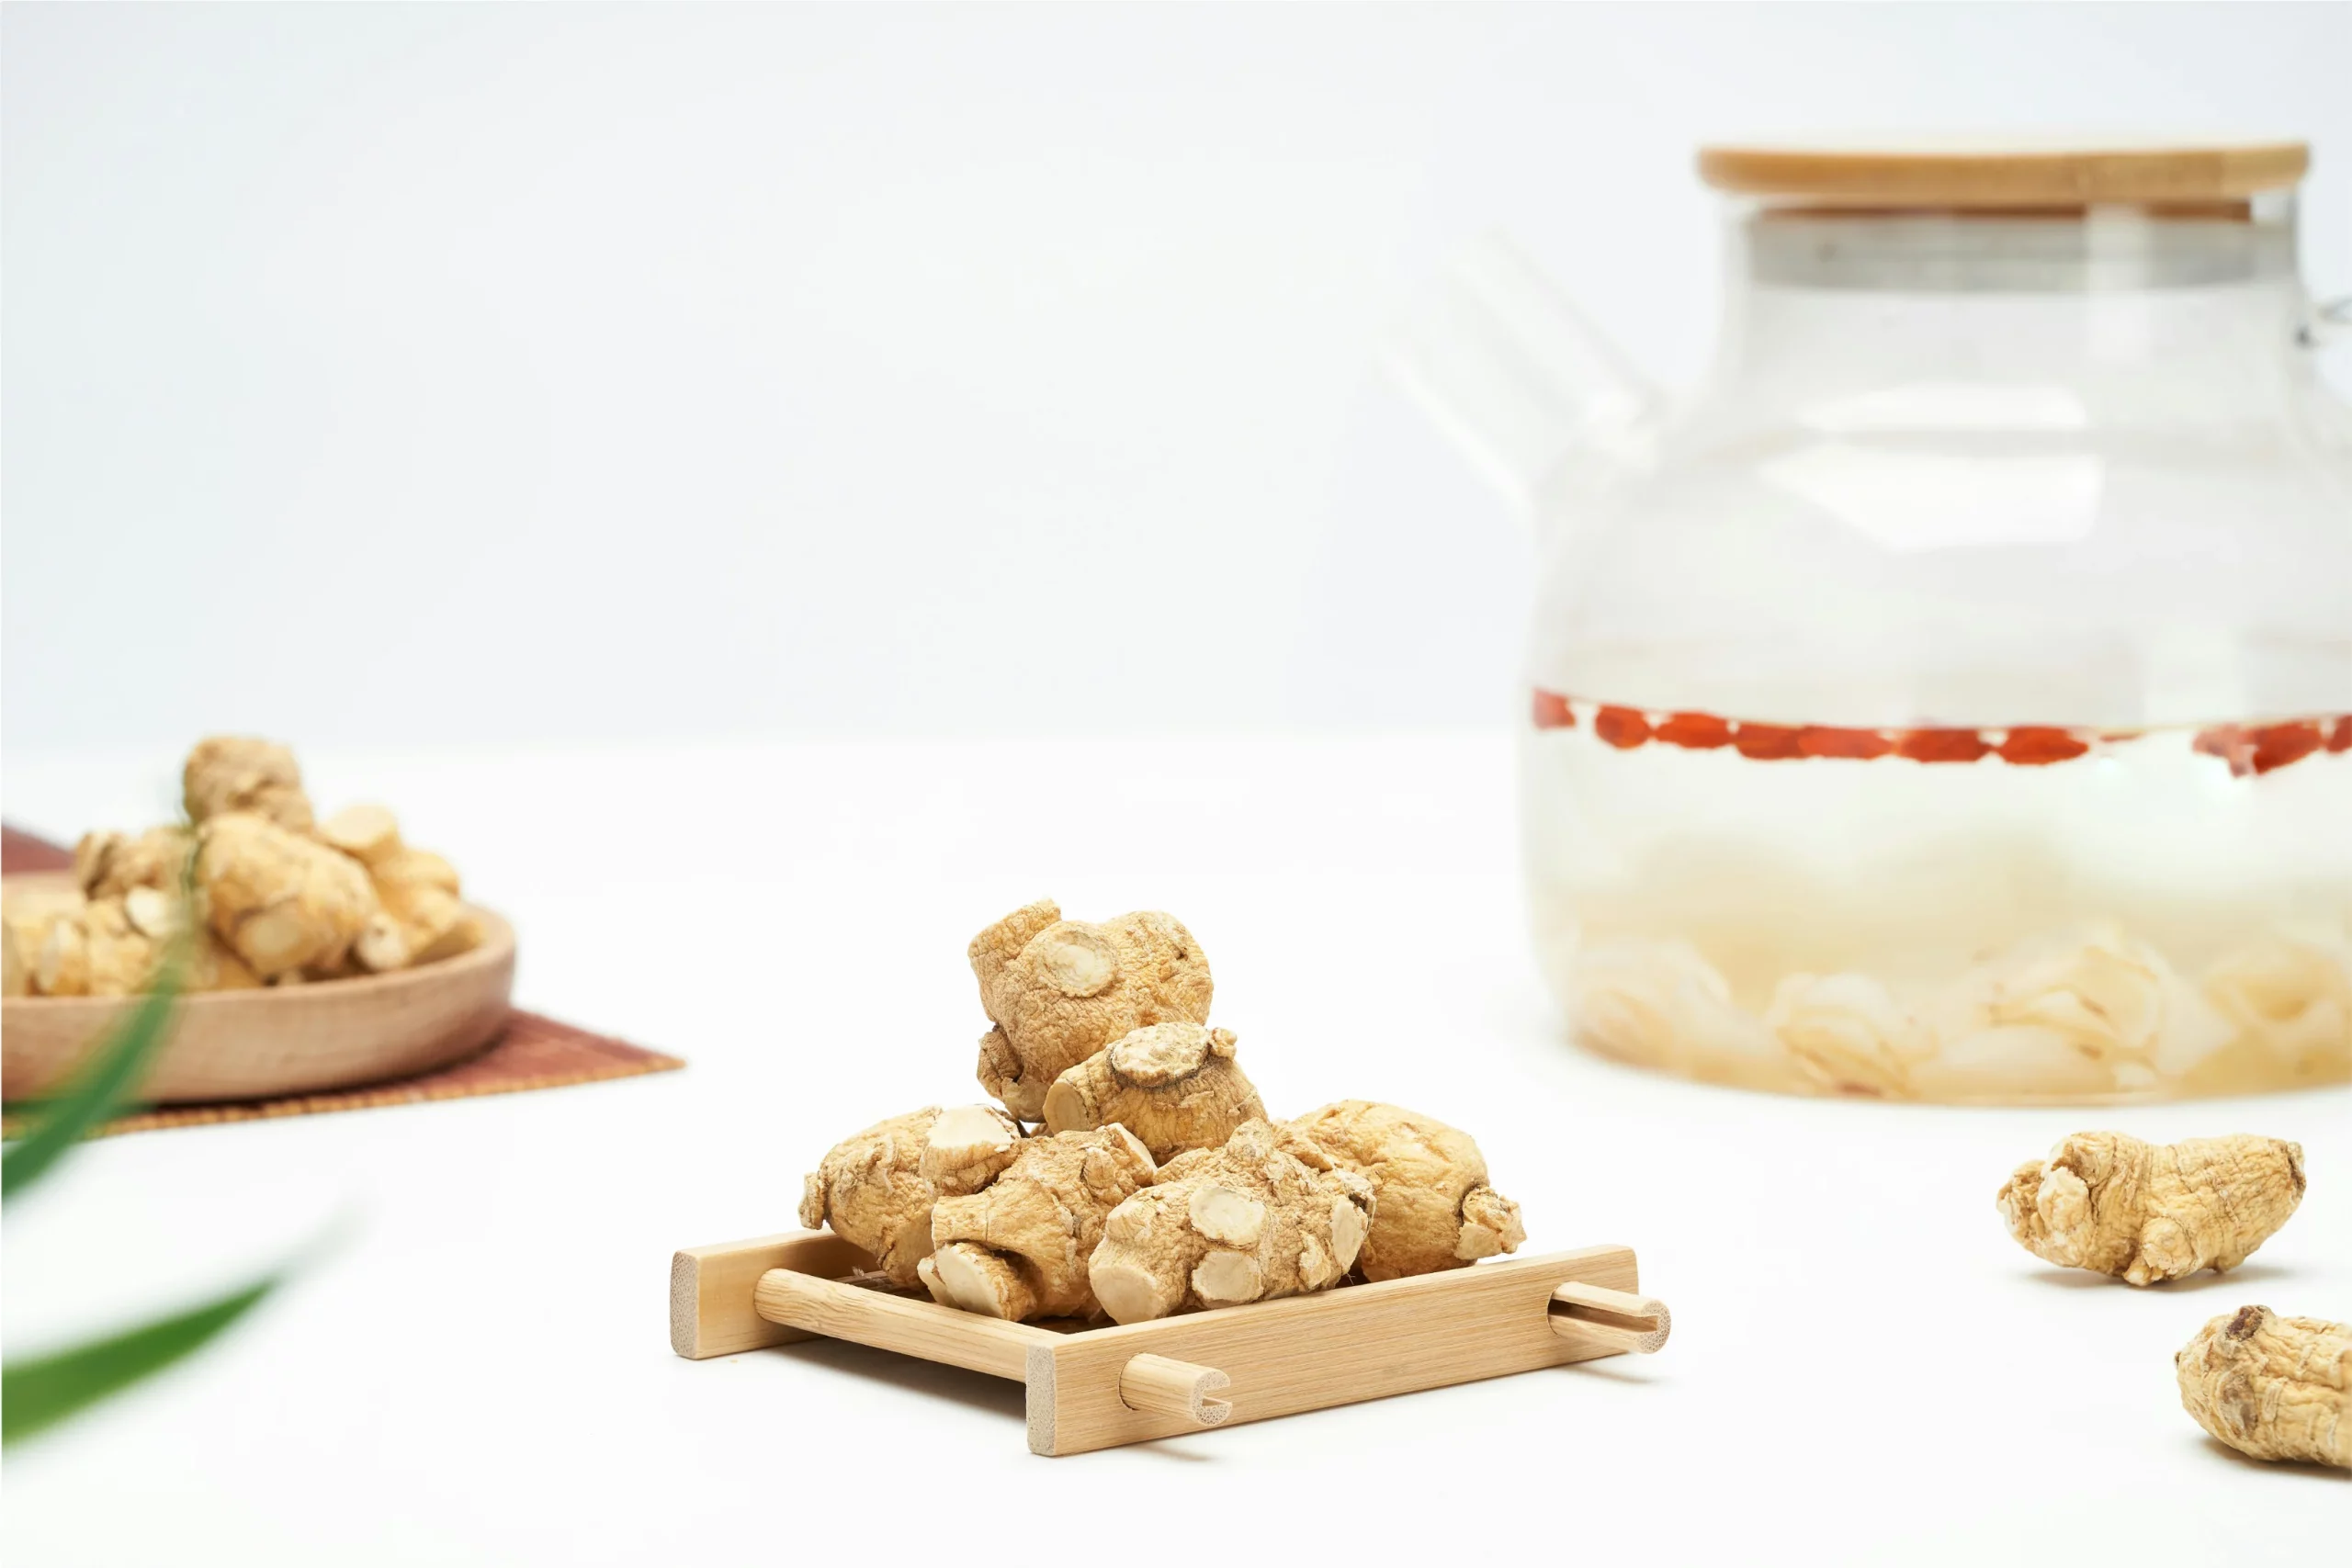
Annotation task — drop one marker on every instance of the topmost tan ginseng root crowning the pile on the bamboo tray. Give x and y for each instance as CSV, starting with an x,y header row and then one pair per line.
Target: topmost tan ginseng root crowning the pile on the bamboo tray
x,y
1060,991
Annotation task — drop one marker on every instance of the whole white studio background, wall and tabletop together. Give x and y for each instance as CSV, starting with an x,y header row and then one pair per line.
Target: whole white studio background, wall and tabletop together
x,y
554,417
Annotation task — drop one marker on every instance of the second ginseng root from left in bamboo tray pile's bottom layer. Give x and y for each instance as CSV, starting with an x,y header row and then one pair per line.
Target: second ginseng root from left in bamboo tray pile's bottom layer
x,y
1017,1249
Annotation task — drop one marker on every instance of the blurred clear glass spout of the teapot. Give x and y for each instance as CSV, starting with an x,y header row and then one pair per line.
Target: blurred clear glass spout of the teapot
x,y
1516,375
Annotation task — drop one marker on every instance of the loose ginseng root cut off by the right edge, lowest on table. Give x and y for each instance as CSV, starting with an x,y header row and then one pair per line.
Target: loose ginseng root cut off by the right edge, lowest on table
x,y
2273,1388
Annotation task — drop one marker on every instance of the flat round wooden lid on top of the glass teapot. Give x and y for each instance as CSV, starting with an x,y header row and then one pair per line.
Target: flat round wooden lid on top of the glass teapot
x,y
1989,173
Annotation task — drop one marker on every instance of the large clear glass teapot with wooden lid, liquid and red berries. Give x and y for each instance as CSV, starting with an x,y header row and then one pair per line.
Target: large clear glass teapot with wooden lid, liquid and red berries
x,y
1953,697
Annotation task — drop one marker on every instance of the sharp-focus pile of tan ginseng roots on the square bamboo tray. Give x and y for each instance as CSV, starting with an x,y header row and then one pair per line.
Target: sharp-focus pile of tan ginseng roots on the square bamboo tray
x,y
1128,1167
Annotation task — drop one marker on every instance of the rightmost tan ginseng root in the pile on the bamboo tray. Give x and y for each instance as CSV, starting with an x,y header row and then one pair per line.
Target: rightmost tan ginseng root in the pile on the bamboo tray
x,y
1436,1209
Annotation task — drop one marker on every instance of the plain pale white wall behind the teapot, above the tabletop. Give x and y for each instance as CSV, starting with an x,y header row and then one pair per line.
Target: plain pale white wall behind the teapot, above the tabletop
x,y
465,375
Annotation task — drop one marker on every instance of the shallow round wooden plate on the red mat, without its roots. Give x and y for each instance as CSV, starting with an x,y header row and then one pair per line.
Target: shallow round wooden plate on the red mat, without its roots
x,y
260,1045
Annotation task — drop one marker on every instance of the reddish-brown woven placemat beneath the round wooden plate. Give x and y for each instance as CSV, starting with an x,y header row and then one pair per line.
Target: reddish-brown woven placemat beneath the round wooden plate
x,y
533,1052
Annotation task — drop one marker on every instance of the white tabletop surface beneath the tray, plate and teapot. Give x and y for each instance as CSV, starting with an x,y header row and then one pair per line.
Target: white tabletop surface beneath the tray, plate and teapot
x,y
476,1369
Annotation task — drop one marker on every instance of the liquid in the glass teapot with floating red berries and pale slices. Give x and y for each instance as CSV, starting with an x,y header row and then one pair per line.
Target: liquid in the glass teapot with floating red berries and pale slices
x,y
1946,913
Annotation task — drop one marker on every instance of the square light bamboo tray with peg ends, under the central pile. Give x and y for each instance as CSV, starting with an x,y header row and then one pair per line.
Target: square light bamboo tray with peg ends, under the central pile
x,y
1130,1383
